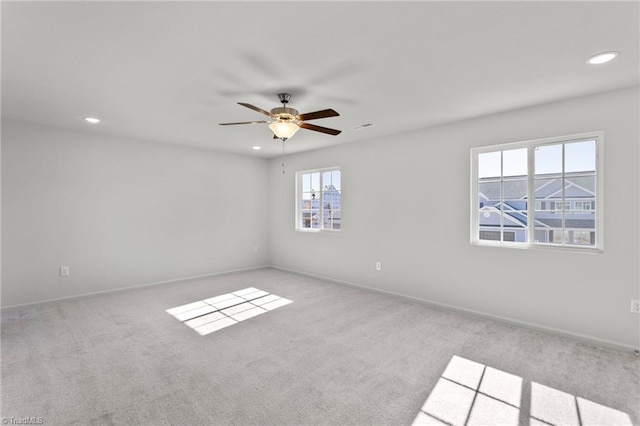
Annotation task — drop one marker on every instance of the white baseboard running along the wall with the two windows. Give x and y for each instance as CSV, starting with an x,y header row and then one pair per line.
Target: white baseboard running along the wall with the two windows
x,y
523,324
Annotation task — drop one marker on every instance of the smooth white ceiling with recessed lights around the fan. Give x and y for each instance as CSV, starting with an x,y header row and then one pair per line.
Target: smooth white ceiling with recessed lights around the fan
x,y
171,71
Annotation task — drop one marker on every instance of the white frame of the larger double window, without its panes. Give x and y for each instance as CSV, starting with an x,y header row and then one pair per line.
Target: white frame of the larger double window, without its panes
x,y
531,243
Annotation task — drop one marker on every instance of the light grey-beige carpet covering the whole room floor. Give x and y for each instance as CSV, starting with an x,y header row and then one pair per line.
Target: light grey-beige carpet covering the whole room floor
x,y
335,355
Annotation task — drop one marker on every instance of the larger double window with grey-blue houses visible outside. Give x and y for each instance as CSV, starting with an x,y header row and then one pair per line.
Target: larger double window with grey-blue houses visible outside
x,y
538,193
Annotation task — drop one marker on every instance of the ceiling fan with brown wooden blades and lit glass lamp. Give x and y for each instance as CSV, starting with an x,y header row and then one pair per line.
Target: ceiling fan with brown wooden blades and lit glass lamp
x,y
286,121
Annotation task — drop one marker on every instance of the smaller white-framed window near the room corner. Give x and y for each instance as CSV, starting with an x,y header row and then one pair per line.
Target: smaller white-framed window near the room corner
x,y
318,198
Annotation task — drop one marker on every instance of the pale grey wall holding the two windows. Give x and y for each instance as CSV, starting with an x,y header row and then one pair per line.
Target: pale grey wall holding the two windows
x,y
406,204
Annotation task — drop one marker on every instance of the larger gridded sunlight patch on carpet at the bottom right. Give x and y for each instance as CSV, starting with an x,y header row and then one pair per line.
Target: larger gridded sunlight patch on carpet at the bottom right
x,y
470,393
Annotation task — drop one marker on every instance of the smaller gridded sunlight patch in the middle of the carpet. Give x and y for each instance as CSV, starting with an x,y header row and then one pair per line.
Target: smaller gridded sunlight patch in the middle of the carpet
x,y
213,314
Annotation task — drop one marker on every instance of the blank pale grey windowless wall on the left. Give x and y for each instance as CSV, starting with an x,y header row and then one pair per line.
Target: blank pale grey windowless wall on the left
x,y
122,212
